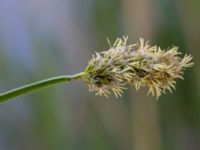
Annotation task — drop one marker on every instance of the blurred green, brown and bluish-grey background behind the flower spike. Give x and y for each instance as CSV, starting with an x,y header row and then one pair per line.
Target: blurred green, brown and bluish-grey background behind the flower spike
x,y
45,38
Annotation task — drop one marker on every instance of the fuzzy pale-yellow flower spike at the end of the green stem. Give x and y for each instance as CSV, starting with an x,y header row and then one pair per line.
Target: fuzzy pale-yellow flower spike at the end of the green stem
x,y
140,65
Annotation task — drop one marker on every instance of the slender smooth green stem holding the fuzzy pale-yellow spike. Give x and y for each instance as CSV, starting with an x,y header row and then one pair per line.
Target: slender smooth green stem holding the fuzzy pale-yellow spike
x,y
38,85
